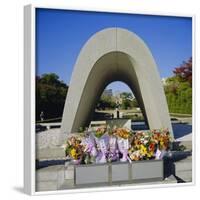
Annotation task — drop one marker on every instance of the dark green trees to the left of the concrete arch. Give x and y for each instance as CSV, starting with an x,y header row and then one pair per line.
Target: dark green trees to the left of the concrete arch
x,y
50,96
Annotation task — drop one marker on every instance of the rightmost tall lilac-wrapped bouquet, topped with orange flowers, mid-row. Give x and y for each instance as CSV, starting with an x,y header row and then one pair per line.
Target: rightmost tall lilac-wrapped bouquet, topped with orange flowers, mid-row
x,y
123,135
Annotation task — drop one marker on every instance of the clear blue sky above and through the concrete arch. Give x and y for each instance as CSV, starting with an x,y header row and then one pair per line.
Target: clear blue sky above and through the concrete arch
x,y
60,35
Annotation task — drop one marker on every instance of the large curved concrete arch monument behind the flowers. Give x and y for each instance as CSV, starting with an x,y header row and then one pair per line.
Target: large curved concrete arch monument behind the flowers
x,y
114,54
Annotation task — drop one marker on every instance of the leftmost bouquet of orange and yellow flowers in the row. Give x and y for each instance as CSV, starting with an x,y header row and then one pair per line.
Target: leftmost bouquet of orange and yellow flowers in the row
x,y
74,149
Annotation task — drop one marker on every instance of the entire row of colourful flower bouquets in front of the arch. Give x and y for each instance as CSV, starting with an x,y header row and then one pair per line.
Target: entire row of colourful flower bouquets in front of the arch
x,y
118,144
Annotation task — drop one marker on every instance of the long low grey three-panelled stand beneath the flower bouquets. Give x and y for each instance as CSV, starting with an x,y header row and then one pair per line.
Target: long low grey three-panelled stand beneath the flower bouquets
x,y
116,173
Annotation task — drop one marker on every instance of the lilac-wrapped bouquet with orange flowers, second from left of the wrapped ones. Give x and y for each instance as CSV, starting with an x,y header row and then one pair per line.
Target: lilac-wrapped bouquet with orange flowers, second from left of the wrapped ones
x,y
102,140
